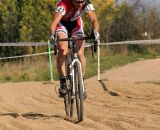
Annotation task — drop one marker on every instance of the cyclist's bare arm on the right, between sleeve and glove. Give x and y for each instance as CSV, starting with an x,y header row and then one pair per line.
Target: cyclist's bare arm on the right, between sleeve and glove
x,y
94,21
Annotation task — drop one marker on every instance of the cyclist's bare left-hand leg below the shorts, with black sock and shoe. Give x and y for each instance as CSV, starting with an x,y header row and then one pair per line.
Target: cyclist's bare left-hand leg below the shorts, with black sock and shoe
x,y
61,63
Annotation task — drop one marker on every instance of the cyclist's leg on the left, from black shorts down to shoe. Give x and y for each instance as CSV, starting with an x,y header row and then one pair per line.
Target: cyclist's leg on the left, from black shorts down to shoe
x,y
63,28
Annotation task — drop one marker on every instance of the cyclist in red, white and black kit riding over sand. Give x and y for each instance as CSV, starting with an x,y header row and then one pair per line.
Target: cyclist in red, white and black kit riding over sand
x,y
67,20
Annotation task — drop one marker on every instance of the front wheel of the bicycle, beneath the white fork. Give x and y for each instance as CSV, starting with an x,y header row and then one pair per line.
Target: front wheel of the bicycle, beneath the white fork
x,y
78,82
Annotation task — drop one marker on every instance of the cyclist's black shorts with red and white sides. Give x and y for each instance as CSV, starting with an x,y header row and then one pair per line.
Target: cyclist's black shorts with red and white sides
x,y
71,27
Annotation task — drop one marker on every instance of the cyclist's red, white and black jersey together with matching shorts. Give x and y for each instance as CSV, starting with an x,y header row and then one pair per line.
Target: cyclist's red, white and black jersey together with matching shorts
x,y
71,21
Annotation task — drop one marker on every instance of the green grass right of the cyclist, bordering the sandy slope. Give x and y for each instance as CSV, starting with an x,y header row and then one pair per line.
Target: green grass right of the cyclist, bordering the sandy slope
x,y
108,61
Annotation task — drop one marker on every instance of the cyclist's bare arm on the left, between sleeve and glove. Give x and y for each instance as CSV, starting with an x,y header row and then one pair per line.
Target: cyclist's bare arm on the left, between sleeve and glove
x,y
56,19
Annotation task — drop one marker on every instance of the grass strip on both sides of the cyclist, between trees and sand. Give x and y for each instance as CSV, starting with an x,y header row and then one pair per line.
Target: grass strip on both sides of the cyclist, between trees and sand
x,y
37,68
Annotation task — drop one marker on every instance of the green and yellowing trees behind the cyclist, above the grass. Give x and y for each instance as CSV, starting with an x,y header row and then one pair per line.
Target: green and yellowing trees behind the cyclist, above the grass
x,y
29,20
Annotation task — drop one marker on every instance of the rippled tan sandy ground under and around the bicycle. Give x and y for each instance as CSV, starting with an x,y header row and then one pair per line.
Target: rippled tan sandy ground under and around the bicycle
x,y
127,98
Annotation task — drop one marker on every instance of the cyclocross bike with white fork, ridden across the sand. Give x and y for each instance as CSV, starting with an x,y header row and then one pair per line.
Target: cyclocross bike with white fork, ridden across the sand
x,y
75,85
